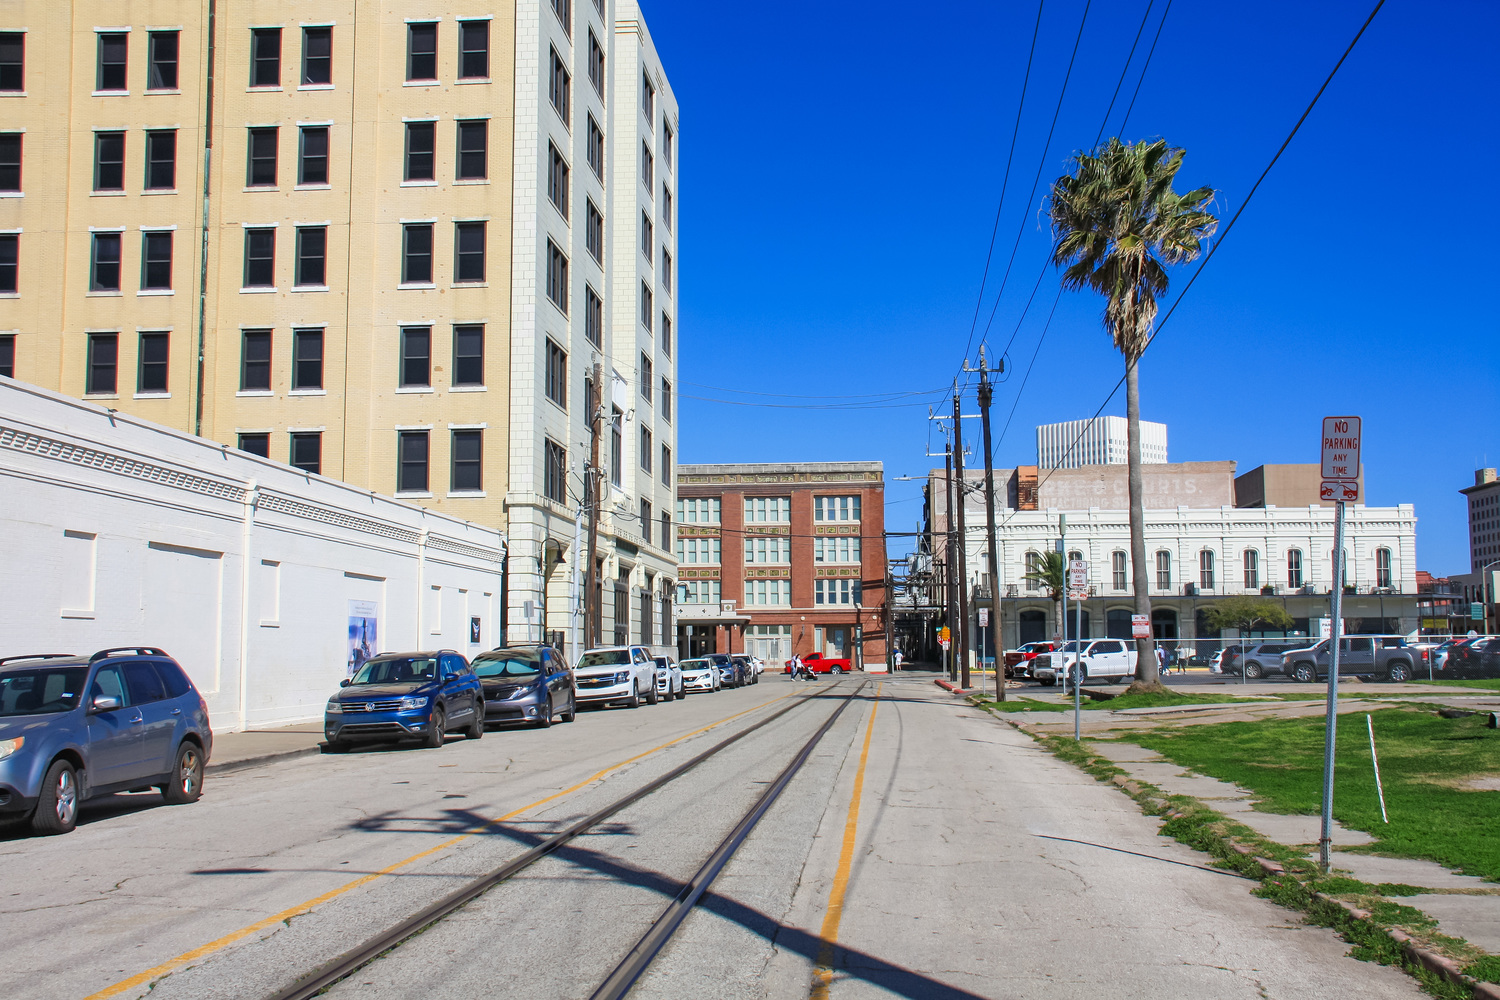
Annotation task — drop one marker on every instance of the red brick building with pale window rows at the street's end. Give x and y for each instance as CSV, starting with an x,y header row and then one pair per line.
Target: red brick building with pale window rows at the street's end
x,y
782,558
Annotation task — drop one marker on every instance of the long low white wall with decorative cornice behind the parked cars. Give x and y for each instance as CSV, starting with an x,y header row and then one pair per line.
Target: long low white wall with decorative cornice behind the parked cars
x,y
268,584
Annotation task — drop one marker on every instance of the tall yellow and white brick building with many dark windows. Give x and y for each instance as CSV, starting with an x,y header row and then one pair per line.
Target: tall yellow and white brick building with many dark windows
x,y
382,242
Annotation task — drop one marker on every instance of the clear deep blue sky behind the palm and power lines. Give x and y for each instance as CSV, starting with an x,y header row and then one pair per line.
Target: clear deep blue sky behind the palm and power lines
x,y
841,167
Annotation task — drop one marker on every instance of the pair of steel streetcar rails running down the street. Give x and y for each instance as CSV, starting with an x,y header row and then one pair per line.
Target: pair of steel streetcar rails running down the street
x,y
356,959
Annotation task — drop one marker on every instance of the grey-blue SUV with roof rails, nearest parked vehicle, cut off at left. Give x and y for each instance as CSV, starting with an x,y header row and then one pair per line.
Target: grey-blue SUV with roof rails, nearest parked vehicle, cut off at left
x,y
77,728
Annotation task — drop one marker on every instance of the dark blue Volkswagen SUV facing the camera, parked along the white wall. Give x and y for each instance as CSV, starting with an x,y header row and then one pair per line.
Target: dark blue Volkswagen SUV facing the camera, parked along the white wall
x,y
406,696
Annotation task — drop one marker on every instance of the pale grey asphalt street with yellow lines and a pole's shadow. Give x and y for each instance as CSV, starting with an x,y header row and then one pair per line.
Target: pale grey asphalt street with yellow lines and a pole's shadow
x,y
977,866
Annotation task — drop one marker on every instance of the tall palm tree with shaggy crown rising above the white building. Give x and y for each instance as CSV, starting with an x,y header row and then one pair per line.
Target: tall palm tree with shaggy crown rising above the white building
x,y
1117,226
